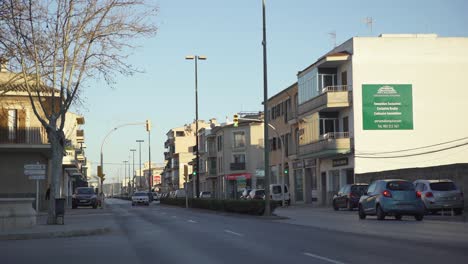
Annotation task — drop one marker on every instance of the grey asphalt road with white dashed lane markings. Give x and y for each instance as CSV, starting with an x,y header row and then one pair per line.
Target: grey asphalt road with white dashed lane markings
x,y
163,234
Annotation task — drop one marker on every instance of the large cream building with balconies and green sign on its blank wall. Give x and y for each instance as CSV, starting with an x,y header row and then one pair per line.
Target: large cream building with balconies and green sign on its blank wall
x,y
383,107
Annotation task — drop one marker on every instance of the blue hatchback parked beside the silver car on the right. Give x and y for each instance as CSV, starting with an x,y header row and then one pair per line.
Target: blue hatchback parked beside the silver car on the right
x,y
391,197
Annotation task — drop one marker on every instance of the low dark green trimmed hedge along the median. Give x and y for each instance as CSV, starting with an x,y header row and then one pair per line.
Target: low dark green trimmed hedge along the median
x,y
253,207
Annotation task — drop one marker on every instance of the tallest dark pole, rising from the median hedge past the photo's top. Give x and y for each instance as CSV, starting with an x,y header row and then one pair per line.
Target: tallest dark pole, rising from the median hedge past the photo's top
x,y
265,111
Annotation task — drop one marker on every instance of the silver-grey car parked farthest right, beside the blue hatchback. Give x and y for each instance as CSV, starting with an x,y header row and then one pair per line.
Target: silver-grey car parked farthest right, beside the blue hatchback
x,y
440,194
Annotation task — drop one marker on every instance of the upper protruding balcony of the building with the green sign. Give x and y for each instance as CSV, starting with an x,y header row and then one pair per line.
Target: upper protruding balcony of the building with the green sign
x,y
331,98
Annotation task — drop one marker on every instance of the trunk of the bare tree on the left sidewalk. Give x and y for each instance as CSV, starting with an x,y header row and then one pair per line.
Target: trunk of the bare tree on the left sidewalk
x,y
56,139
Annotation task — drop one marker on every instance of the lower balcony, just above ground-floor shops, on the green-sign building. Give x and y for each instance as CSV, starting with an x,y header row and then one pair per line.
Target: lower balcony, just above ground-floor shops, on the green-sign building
x,y
329,144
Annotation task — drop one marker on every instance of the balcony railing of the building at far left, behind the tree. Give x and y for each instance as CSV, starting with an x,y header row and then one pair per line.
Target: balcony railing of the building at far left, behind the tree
x,y
28,135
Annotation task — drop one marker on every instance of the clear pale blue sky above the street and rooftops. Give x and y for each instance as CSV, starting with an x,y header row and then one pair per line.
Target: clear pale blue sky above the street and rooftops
x,y
229,34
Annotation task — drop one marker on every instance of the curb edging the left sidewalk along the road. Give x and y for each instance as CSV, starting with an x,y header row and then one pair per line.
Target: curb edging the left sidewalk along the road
x,y
56,234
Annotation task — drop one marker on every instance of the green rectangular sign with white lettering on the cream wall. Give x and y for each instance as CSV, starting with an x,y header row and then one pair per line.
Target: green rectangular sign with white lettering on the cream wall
x,y
387,106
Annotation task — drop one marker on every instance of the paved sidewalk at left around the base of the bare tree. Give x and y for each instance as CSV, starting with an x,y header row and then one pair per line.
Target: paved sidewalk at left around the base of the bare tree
x,y
77,222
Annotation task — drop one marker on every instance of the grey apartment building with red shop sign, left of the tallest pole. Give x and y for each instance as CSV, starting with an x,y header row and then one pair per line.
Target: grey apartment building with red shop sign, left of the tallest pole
x,y
239,157
